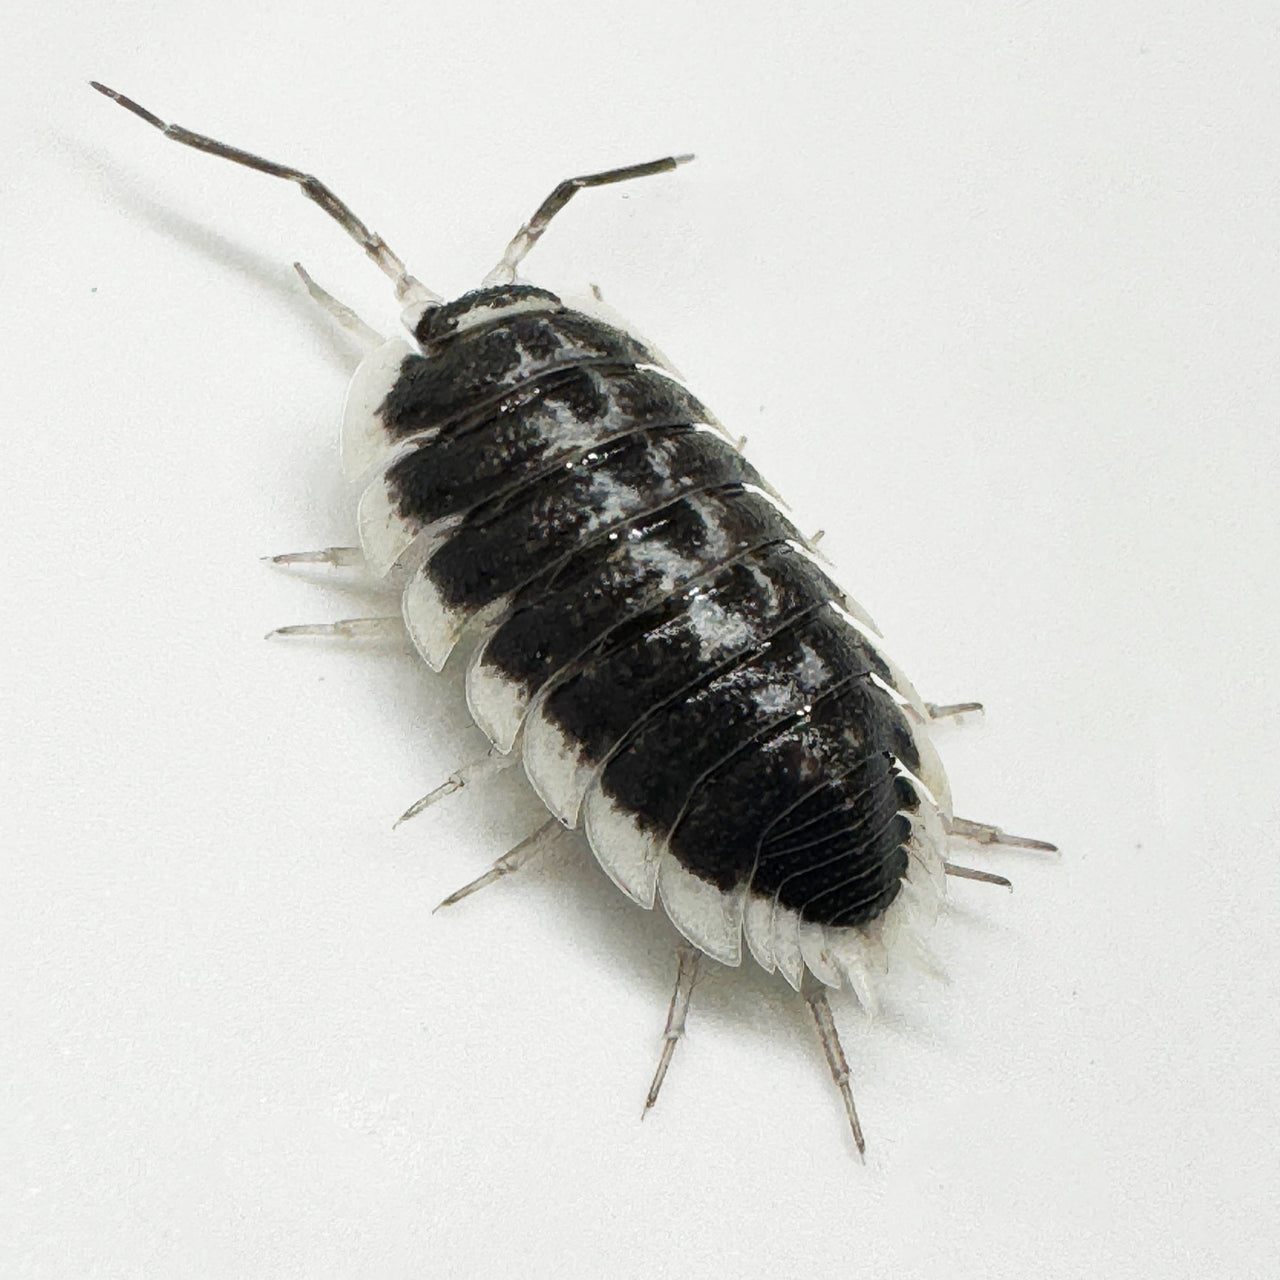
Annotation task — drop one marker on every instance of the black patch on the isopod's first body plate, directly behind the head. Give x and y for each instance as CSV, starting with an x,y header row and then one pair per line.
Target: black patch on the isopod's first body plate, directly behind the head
x,y
479,367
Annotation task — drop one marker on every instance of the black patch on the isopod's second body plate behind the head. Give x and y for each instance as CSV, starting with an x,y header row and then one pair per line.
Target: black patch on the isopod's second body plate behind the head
x,y
532,433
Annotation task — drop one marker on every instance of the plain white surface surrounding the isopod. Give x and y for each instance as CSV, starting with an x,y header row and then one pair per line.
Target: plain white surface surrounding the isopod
x,y
994,292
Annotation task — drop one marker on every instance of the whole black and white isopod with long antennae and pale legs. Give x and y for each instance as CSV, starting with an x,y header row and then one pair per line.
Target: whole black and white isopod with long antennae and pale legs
x,y
651,637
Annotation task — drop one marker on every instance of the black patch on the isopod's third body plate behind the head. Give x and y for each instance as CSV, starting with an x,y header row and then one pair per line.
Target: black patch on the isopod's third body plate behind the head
x,y
505,545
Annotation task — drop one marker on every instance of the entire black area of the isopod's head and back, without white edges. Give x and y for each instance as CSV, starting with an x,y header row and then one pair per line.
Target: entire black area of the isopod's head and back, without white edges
x,y
694,656
